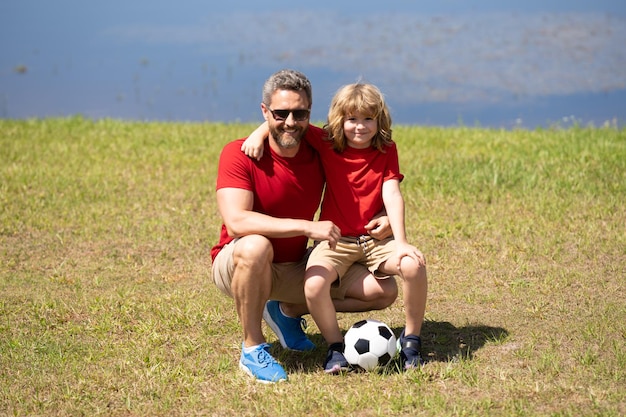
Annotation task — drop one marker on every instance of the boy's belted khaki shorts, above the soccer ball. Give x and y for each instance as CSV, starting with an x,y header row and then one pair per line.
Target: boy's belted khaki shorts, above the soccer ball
x,y
364,250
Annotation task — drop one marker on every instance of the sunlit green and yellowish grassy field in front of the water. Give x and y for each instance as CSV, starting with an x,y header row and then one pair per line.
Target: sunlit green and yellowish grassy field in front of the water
x,y
107,308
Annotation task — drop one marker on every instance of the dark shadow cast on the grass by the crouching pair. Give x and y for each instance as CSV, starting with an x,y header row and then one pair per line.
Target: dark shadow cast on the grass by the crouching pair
x,y
441,342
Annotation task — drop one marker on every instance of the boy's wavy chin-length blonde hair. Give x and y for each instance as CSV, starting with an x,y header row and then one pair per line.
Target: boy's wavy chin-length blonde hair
x,y
360,98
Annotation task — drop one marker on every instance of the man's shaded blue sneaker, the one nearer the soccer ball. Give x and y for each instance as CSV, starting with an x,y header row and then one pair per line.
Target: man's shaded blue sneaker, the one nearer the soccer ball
x,y
288,329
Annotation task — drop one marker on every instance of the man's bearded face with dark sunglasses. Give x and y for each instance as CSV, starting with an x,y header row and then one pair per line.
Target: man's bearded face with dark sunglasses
x,y
288,118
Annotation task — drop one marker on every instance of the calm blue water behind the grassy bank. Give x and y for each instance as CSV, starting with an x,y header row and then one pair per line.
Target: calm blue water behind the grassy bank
x,y
488,63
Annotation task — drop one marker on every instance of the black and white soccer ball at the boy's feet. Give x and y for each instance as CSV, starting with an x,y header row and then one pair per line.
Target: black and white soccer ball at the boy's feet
x,y
369,343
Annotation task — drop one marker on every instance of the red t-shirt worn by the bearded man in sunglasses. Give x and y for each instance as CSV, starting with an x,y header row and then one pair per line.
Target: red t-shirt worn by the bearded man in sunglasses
x,y
282,187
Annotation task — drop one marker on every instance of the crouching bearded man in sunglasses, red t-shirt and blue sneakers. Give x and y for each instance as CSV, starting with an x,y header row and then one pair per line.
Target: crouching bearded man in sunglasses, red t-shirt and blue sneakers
x,y
267,206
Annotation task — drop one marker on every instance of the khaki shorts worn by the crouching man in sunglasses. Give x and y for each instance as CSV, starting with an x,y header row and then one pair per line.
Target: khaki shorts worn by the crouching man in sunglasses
x,y
287,277
